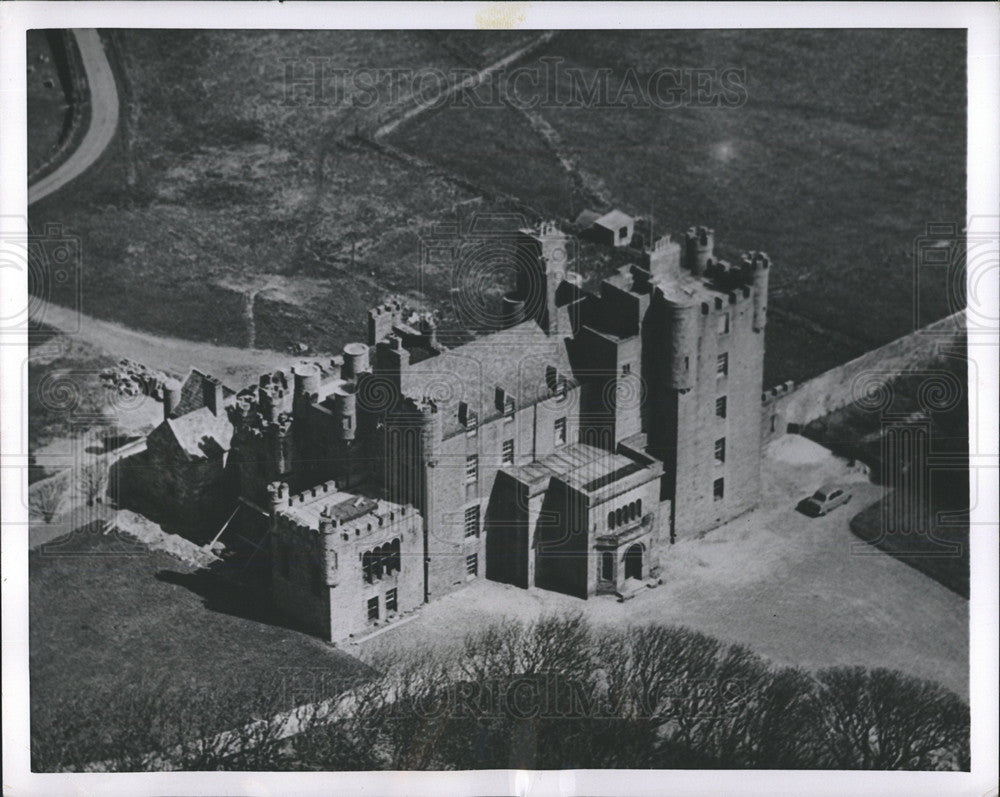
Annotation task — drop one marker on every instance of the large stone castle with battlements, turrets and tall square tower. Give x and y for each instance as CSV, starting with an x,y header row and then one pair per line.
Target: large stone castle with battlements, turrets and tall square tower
x,y
565,451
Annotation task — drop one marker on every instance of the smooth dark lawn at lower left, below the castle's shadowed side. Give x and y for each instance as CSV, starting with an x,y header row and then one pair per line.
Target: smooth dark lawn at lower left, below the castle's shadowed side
x,y
114,624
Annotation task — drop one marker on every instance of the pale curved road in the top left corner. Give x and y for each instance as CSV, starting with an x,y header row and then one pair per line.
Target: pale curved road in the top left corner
x,y
103,116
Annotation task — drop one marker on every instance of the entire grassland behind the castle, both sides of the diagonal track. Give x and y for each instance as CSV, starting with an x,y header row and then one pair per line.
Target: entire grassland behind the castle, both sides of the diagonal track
x,y
217,193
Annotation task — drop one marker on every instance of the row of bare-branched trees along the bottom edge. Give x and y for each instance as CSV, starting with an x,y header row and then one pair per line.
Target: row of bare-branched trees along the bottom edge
x,y
553,693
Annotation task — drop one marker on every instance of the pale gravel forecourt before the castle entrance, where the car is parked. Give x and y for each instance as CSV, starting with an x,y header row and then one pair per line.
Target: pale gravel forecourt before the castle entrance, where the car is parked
x,y
800,591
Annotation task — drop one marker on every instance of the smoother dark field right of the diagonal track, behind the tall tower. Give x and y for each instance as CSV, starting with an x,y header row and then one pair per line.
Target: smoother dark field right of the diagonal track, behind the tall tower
x,y
848,144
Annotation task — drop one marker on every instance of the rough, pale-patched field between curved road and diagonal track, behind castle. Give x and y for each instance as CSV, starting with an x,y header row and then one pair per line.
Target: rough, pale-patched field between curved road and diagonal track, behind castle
x,y
214,185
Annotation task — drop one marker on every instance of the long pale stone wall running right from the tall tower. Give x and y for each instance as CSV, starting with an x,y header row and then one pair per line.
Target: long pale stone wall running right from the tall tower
x,y
789,406
